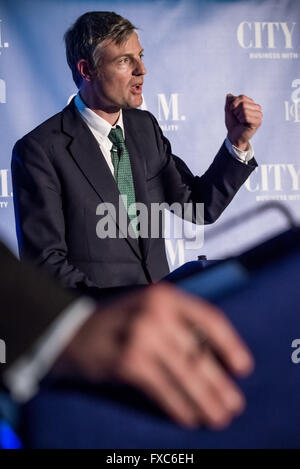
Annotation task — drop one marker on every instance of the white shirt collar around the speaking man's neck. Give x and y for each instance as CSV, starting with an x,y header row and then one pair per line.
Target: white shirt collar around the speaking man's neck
x,y
95,122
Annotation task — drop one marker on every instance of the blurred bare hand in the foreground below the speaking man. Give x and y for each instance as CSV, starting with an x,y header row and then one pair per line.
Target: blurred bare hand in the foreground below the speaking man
x,y
171,346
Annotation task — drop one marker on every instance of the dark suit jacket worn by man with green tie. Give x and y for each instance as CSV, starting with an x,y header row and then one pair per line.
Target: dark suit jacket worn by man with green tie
x,y
60,176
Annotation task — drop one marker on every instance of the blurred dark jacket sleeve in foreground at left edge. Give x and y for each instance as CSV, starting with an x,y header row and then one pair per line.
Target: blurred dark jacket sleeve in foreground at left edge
x,y
30,301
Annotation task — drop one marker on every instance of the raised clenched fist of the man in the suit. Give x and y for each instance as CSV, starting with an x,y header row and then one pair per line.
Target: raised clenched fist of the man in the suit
x,y
242,118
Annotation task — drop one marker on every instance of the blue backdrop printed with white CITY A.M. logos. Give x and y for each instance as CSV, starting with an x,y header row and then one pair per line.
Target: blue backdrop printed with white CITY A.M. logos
x,y
195,53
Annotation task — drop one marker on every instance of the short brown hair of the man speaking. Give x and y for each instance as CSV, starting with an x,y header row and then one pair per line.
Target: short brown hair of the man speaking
x,y
88,31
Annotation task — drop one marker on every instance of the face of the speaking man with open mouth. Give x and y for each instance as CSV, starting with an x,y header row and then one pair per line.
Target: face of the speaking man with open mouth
x,y
120,75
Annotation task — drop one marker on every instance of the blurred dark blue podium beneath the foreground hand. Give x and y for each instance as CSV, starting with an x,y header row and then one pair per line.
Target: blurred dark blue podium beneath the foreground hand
x,y
259,291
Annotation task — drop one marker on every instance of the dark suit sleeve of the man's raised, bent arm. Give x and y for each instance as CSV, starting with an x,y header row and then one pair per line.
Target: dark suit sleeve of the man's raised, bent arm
x,y
214,189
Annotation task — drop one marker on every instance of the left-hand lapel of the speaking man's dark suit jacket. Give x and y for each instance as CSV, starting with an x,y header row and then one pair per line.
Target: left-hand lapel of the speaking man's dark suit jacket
x,y
85,150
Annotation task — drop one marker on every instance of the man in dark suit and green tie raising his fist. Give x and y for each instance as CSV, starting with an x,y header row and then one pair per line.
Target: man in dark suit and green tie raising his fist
x,y
100,147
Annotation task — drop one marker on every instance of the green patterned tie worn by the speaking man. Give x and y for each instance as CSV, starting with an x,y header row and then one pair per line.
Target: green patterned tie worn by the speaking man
x,y
122,172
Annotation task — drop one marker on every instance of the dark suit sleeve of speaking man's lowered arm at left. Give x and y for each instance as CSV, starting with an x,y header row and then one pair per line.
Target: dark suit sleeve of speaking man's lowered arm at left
x,y
39,214
